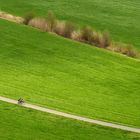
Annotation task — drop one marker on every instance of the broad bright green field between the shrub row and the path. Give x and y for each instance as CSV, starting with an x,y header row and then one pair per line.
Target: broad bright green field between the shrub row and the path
x,y
52,71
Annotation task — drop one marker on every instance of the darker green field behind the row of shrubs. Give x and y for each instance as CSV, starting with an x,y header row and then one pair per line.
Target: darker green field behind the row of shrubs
x,y
119,17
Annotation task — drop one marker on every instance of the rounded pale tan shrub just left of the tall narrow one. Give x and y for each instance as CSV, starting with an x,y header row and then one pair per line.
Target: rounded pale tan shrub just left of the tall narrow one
x,y
38,23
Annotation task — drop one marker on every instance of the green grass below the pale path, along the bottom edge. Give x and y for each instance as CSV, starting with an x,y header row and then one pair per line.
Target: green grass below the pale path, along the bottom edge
x,y
27,124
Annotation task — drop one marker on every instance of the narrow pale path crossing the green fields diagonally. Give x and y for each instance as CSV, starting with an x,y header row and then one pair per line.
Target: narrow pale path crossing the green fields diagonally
x,y
137,130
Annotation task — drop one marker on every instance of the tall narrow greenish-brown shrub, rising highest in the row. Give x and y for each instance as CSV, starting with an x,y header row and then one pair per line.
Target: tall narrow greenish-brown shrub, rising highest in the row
x,y
51,21
